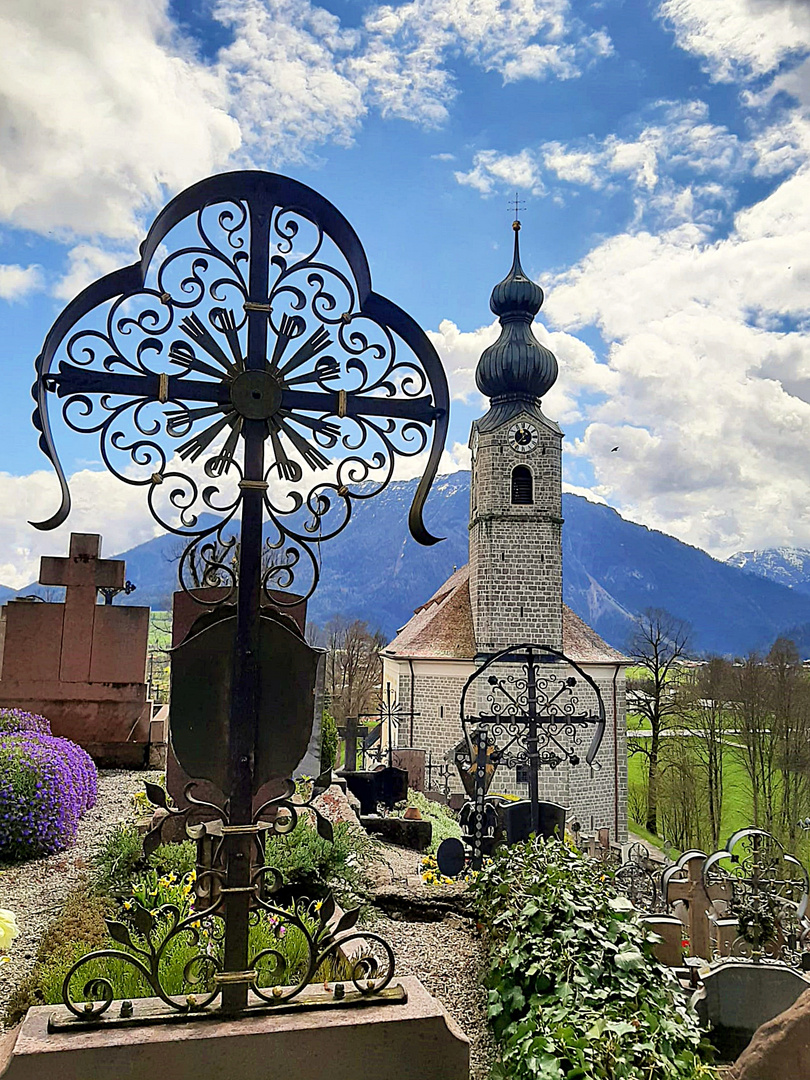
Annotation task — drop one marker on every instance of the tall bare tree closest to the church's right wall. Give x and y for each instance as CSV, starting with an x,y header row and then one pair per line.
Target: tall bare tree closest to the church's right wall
x,y
659,641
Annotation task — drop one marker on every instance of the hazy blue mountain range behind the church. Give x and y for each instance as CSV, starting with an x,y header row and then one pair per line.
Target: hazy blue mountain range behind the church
x,y
613,571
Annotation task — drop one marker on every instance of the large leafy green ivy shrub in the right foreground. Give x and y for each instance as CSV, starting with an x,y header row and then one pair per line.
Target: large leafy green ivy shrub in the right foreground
x,y
574,989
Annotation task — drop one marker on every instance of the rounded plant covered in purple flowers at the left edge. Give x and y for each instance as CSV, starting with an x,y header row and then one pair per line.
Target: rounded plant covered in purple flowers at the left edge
x,y
47,785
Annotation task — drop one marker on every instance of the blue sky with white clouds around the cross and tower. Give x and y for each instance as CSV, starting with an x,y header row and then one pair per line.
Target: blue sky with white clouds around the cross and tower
x,y
661,150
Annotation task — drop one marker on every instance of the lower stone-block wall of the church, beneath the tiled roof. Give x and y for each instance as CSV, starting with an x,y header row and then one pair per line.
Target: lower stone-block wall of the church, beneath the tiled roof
x,y
597,799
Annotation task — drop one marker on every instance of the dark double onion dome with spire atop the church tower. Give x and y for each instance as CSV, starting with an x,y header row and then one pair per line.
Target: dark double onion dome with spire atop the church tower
x,y
517,369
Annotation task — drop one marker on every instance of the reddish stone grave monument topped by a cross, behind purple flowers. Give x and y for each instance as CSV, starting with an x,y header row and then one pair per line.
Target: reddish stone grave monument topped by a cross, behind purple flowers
x,y
82,665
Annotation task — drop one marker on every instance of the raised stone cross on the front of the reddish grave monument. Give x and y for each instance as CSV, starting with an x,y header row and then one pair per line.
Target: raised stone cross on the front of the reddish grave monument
x,y
83,574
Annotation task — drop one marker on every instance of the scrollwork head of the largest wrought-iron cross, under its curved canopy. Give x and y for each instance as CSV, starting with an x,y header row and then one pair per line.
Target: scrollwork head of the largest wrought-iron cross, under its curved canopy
x,y
247,349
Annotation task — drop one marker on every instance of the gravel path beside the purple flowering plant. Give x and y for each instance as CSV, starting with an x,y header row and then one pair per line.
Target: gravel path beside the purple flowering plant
x,y
36,892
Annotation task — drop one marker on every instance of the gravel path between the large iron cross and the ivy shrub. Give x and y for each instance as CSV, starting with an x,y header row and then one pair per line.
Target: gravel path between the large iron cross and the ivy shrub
x,y
448,956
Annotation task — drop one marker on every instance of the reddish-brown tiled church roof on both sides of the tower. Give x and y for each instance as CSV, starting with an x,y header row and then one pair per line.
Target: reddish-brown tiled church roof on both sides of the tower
x,y
442,629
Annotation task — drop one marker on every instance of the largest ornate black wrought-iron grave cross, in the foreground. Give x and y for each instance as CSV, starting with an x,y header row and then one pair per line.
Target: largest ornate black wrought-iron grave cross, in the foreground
x,y
244,370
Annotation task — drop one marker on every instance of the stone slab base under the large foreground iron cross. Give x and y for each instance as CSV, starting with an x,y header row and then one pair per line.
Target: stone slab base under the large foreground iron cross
x,y
414,1041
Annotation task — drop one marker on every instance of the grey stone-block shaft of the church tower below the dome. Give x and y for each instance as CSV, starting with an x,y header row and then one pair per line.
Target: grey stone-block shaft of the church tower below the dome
x,y
516,551
